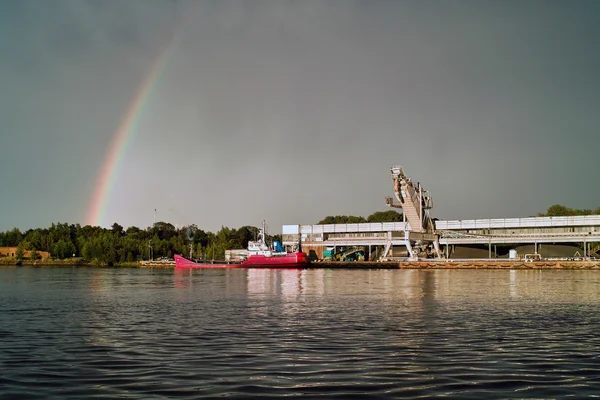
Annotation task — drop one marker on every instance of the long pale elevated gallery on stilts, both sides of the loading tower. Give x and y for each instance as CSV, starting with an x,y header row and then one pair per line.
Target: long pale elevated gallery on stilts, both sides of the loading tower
x,y
381,237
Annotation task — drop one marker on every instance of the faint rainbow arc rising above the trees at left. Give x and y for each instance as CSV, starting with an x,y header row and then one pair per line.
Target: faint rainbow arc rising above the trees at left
x,y
122,138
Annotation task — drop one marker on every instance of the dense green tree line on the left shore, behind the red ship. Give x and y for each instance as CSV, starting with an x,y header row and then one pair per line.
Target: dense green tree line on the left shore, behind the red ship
x,y
117,245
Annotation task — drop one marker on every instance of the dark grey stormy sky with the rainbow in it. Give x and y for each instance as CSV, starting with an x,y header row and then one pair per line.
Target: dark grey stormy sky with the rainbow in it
x,y
225,113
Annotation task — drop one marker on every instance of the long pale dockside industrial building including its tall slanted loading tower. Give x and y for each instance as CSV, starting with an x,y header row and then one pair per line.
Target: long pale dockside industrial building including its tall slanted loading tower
x,y
420,236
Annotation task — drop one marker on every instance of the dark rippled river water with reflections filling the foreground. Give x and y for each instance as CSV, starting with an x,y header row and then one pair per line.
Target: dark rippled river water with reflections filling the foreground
x,y
72,333
